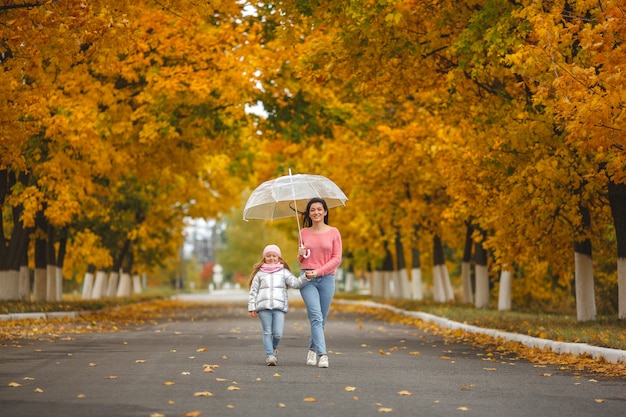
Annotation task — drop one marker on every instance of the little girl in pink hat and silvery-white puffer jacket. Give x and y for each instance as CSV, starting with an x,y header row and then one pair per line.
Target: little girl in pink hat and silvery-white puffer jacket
x,y
268,285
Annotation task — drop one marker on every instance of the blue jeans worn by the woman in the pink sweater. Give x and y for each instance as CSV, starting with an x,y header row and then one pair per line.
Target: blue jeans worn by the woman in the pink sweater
x,y
317,295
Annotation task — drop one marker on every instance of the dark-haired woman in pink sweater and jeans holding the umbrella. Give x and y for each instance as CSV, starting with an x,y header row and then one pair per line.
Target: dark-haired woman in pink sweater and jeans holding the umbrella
x,y
320,254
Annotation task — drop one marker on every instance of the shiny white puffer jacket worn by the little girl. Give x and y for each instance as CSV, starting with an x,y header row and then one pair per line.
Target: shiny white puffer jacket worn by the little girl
x,y
269,290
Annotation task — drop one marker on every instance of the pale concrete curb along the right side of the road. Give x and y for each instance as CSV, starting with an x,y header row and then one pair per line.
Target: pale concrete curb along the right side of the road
x,y
596,352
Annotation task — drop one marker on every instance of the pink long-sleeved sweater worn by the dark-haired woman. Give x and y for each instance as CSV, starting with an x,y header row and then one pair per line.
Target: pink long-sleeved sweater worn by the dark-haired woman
x,y
326,251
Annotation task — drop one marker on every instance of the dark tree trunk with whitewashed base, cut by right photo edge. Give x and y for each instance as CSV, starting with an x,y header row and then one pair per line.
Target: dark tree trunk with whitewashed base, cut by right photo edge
x,y
617,199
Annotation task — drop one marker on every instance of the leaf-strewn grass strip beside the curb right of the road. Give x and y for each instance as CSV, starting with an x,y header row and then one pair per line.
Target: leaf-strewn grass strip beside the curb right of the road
x,y
604,332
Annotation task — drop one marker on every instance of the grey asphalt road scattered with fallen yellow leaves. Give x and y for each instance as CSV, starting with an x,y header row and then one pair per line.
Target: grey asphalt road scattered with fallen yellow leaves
x,y
159,369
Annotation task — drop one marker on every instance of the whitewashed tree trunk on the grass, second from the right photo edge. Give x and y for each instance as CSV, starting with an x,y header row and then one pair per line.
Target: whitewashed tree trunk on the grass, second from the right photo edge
x,y
585,293
